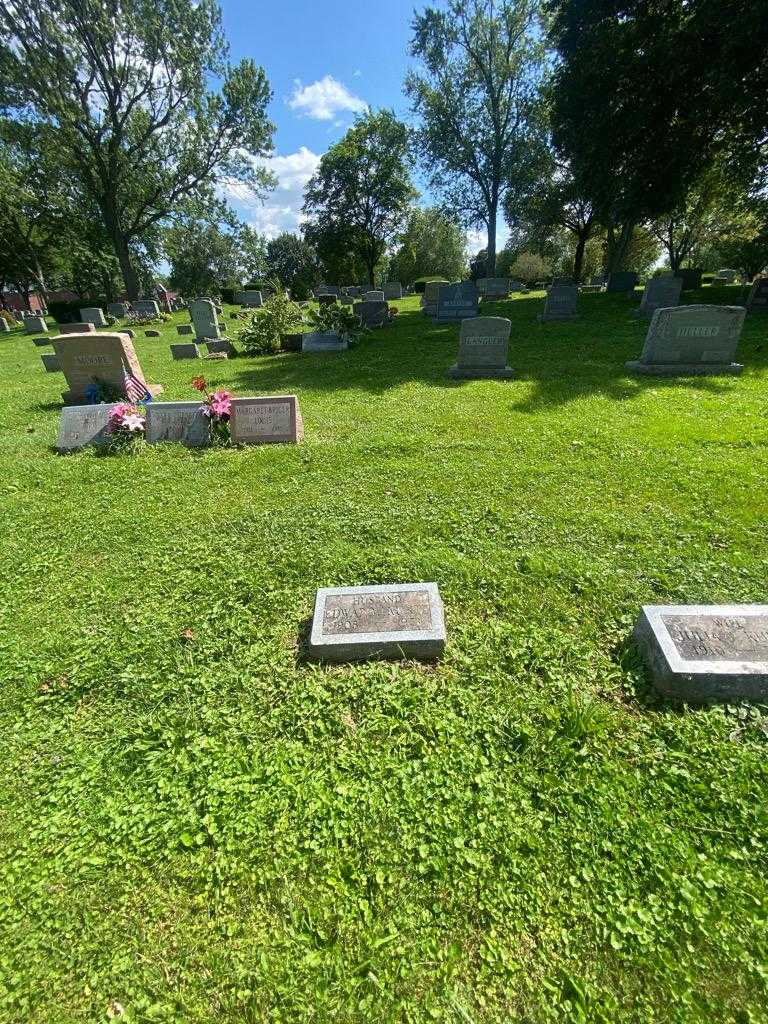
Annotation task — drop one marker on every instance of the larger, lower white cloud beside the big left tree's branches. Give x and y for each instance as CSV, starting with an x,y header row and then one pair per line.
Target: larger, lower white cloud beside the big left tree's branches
x,y
281,210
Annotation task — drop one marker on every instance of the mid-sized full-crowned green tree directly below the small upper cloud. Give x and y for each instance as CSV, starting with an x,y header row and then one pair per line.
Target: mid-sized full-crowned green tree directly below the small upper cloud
x,y
362,190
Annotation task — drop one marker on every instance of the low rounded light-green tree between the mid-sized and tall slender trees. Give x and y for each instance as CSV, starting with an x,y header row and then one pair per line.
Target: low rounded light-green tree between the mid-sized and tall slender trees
x,y
433,245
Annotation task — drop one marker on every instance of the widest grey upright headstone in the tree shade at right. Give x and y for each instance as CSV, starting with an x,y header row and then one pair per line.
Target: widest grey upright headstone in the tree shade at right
x,y
697,340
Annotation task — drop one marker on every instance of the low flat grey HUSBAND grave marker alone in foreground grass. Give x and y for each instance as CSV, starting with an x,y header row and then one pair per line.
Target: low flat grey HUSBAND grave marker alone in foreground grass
x,y
392,621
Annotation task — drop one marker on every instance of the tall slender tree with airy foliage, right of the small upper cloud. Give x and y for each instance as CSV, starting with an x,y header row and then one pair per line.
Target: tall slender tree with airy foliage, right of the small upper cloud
x,y
478,95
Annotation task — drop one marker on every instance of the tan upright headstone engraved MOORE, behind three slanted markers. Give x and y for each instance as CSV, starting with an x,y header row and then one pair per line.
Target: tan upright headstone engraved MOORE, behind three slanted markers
x,y
104,359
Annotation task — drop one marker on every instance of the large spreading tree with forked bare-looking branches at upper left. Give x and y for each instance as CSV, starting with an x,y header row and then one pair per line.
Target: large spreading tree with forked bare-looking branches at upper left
x,y
124,84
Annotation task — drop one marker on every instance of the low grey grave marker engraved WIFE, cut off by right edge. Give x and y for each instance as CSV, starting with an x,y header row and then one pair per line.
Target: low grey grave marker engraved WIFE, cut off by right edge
x,y
705,653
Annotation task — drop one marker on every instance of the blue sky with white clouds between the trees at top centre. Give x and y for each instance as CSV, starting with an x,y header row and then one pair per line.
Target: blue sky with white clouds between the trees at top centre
x,y
325,63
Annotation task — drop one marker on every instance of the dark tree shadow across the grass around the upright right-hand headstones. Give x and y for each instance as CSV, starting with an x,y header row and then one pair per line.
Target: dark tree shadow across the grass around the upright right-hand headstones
x,y
565,362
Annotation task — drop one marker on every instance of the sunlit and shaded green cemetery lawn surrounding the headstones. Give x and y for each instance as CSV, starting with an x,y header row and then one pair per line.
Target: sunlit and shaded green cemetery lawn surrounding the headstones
x,y
206,828
